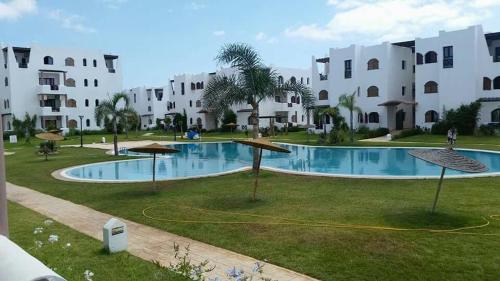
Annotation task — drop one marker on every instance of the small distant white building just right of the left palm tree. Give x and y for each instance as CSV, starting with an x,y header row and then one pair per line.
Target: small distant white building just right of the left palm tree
x,y
150,103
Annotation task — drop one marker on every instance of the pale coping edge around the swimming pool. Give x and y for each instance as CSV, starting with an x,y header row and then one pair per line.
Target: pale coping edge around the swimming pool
x,y
61,174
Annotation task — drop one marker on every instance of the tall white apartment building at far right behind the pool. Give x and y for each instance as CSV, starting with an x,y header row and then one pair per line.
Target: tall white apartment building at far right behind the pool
x,y
406,84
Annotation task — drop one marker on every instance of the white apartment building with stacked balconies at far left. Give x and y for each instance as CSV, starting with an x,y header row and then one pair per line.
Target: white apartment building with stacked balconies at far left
x,y
58,85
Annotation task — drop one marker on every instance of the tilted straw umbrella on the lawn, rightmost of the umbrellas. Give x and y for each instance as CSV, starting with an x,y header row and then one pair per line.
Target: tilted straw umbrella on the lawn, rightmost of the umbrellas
x,y
448,159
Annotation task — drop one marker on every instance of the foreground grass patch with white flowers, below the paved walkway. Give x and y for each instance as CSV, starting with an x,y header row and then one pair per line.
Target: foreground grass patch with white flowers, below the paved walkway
x,y
83,253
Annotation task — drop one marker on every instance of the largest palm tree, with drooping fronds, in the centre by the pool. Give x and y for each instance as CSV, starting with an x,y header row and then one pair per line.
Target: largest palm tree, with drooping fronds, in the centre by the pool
x,y
252,83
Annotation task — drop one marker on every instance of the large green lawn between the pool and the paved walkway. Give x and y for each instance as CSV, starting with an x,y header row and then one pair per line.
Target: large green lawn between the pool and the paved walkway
x,y
324,253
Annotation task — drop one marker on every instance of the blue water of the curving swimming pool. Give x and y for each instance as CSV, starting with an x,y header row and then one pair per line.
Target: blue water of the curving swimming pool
x,y
204,159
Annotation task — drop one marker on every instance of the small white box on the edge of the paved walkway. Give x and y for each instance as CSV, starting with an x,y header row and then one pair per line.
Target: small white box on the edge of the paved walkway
x,y
115,236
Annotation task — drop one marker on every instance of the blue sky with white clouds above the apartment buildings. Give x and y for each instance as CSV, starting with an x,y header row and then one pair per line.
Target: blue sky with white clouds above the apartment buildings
x,y
156,39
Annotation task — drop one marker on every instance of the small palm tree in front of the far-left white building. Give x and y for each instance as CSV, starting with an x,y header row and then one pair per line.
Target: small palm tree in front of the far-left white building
x,y
115,108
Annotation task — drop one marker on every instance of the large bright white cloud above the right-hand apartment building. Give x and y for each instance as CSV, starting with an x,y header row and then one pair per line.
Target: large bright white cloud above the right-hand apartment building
x,y
387,20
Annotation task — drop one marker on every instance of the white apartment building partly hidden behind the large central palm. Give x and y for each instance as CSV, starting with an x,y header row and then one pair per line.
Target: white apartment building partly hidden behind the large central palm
x,y
187,93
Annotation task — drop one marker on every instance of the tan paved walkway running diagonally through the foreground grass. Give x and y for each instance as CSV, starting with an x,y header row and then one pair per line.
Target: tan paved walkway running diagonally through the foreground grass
x,y
145,242
